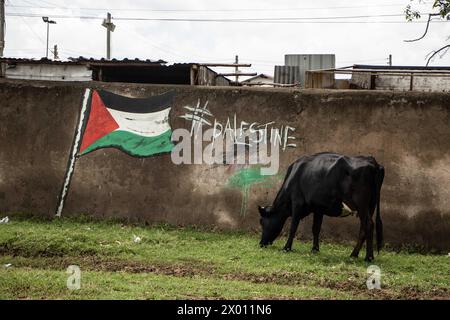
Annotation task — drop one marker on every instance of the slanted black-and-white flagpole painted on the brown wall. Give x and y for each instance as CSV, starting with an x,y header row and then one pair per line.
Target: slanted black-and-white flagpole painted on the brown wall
x,y
73,153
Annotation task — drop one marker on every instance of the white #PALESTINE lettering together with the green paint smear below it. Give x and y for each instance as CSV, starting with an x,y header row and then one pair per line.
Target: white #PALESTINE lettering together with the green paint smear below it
x,y
252,135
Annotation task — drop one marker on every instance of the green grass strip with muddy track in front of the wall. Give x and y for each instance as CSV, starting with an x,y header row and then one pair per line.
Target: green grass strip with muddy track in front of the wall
x,y
185,263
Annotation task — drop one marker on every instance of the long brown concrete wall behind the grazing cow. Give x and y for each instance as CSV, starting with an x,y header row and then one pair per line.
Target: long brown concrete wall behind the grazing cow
x,y
407,132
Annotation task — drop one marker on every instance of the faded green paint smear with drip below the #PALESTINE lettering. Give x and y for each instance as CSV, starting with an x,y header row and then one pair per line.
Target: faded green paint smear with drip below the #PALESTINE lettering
x,y
245,178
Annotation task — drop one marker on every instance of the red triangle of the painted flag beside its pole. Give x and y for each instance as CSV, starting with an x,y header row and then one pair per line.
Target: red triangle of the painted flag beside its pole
x,y
100,122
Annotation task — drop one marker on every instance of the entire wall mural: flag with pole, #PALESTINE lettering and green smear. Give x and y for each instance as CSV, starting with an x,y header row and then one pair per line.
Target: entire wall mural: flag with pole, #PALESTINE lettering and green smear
x,y
140,127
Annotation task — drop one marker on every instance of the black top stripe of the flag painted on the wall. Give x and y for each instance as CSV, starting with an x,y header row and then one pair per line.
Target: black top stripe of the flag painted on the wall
x,y
137,105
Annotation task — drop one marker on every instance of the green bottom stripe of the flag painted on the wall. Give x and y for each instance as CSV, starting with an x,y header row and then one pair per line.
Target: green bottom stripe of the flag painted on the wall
x,y
135,145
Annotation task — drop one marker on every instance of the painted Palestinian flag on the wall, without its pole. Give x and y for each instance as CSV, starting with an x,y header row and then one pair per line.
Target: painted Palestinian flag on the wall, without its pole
x,y
139,127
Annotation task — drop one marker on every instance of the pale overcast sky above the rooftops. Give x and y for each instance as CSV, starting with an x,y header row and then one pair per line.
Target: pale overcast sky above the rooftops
x,y
262,44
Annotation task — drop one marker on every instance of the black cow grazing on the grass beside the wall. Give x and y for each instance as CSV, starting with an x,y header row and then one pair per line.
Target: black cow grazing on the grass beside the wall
x,y
324,184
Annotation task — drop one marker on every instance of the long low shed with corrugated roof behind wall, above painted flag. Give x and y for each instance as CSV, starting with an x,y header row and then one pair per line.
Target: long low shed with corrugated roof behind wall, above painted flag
x,y
126,70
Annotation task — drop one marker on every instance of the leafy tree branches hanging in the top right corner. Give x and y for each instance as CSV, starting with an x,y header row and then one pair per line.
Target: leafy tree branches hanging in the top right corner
x,y
441,9
